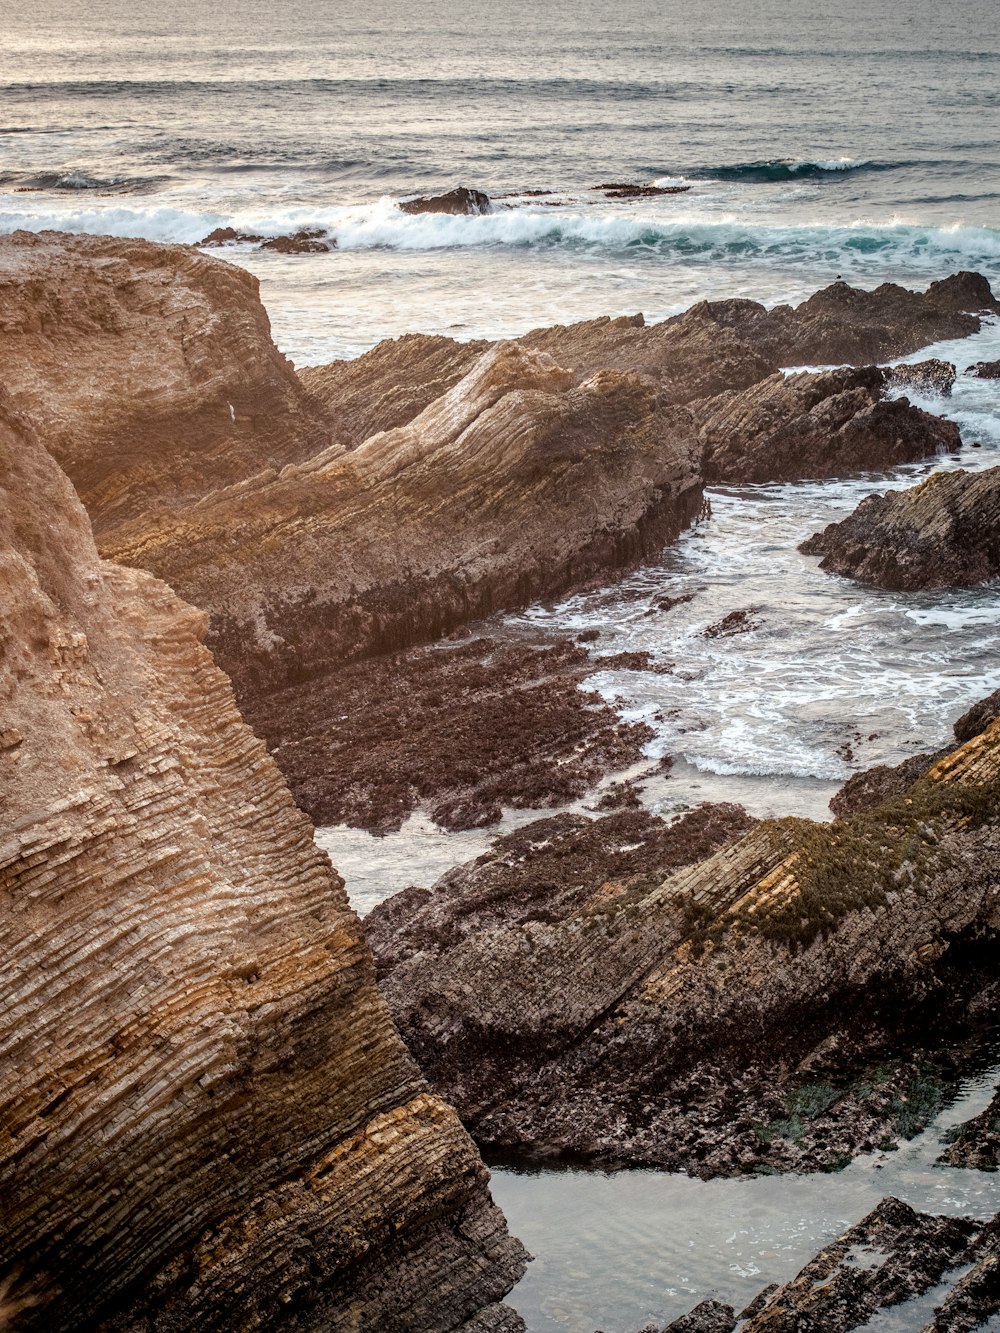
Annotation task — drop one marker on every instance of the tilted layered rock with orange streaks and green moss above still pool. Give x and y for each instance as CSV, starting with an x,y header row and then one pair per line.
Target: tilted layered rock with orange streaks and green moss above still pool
x,y
747,1011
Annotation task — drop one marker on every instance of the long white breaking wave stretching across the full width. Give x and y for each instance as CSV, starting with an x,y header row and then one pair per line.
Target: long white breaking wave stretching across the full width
x,y
683,237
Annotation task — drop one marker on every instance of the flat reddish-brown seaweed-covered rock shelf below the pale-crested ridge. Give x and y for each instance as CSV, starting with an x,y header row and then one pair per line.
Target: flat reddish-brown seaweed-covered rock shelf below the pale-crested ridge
x,y
458,730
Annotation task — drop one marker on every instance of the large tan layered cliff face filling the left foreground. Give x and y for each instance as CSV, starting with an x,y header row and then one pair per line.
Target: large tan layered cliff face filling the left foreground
x,y
207,1120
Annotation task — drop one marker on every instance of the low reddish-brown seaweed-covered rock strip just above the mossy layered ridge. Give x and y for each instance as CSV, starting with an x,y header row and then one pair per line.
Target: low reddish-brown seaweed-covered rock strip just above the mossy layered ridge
x,y
543,874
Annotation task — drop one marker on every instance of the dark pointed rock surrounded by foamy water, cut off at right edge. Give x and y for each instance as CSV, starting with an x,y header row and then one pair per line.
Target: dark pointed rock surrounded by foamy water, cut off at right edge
x,y
941,534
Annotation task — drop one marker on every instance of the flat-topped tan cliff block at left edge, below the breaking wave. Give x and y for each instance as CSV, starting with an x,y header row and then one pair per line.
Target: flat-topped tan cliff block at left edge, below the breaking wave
x,y
149,370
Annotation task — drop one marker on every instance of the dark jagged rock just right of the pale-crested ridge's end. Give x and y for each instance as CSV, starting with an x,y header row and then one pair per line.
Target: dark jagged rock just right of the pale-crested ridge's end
x,y
827,425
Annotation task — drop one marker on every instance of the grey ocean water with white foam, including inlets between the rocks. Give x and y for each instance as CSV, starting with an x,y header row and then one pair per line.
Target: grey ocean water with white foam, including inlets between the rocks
x,y
817,142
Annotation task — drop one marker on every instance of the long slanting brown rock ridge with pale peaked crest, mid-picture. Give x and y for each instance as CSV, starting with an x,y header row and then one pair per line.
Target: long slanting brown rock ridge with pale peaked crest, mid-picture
x,y
513,486
